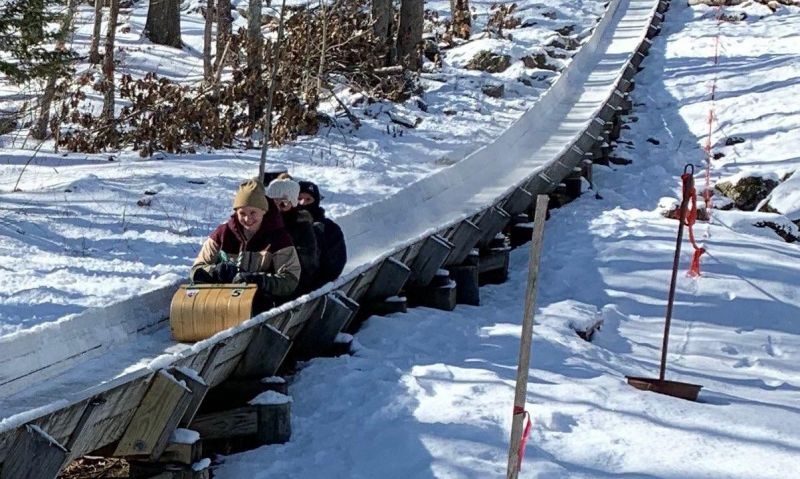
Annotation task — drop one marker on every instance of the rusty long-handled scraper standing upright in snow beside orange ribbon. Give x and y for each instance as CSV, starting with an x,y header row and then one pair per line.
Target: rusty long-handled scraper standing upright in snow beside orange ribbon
x,y
661,385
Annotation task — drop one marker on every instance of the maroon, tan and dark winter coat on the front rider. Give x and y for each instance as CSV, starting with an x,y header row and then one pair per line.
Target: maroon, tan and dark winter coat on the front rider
x,y
270,250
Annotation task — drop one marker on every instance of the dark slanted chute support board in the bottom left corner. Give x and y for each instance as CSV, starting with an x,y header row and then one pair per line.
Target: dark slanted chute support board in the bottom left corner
x,y
34,455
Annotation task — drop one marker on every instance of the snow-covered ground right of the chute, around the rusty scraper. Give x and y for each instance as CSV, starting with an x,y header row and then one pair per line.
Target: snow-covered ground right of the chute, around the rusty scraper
x,y
429,394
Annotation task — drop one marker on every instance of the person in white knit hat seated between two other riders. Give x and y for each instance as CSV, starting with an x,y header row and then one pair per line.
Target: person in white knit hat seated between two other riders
x,y
284,191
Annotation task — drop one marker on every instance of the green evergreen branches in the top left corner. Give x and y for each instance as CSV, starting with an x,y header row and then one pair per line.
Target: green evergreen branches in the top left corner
x,y
26,41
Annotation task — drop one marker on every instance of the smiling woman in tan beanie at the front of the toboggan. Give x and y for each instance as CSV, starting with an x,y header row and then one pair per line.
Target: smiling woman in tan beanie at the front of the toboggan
x,y
251,247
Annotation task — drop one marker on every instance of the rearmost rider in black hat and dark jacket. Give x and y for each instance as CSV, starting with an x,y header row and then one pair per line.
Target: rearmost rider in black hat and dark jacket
x,y
333,254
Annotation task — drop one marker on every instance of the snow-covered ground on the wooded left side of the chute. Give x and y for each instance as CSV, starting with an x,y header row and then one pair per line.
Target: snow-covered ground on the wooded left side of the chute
x,y
75,236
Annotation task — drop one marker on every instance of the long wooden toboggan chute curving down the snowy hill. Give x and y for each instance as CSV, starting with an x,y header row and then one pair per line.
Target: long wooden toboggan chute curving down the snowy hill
x,y
50,415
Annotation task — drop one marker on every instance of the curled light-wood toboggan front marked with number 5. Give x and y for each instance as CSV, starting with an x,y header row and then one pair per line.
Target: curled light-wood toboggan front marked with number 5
x,y
198,311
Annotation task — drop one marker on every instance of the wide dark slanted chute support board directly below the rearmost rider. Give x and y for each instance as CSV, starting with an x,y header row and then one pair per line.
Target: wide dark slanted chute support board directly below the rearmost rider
x,y
317,337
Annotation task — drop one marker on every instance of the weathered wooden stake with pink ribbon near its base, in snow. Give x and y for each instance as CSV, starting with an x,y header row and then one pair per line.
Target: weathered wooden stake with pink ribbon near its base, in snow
x,y
514,451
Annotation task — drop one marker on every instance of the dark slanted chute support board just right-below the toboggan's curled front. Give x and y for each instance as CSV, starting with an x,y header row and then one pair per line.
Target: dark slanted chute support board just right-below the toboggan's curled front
x,y
265,353
